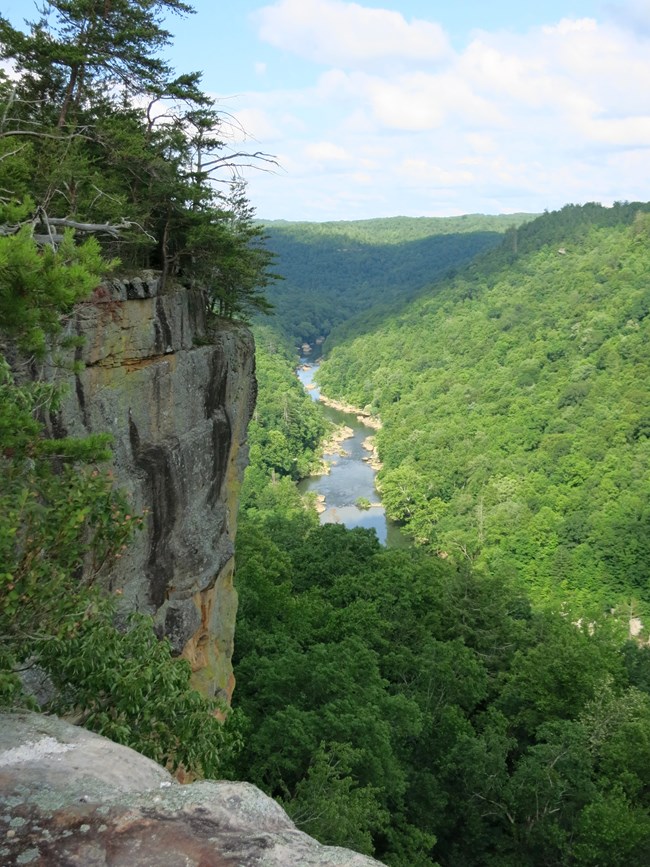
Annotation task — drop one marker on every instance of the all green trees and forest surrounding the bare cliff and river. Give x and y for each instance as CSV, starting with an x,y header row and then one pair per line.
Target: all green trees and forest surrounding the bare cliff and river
x,y
476,699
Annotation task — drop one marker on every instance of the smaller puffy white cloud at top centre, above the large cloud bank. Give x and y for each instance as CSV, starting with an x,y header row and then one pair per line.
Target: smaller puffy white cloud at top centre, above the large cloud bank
x,y
338,33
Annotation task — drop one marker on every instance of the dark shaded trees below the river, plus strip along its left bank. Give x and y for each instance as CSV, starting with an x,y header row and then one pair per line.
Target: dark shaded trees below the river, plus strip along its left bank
x,y
416,708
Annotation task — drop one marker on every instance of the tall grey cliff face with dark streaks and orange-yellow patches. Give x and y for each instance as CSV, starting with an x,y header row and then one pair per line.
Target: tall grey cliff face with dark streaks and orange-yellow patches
x,y
177,398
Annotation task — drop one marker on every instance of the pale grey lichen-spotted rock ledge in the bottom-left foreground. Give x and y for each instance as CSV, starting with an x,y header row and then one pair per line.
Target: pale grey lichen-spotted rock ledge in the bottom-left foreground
x,y
69,797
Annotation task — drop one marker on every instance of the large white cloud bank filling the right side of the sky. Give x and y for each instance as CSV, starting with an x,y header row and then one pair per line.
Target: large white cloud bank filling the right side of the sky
x,y
514,121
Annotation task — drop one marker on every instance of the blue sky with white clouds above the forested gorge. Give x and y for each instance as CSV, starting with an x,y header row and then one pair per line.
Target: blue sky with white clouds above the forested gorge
x,y
438,108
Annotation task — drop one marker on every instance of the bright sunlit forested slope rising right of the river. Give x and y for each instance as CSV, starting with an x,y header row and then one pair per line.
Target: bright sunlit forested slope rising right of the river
x,y
516,408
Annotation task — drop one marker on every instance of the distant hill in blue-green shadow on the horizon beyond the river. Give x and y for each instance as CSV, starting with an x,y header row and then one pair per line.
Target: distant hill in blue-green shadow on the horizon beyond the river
x,y
333,270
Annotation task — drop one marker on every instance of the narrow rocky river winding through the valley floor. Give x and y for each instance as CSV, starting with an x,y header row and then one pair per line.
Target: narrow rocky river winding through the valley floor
x,y
350,476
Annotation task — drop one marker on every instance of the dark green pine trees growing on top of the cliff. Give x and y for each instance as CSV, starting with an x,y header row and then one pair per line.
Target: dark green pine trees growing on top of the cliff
x,y
98,131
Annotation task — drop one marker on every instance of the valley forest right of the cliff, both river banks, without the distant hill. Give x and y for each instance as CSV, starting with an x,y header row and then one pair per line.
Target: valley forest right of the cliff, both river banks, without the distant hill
x,y
476,699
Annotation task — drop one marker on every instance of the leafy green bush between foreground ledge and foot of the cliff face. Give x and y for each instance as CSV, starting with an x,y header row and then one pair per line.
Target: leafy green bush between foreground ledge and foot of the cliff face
x,y
127,686
